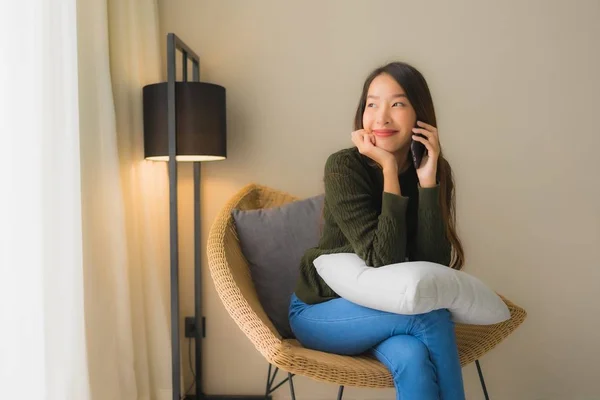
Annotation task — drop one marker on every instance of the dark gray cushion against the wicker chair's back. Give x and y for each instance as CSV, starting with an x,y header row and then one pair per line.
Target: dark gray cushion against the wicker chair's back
x,y
273,241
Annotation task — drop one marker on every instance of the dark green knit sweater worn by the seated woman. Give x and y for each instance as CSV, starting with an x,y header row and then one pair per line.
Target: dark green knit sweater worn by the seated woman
x,y
381,228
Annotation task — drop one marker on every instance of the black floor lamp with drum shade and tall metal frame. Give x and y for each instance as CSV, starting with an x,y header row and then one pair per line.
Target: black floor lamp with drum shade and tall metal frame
x,y
185,121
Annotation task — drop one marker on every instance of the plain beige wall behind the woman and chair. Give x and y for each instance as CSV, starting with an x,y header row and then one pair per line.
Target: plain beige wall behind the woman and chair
x,y
516,85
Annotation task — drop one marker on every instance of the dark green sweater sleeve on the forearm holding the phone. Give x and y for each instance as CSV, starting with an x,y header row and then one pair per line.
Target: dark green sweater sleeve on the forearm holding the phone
x,y
431,243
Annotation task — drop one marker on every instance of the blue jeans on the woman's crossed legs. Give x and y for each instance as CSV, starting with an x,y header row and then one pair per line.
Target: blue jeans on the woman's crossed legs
x,y
419,350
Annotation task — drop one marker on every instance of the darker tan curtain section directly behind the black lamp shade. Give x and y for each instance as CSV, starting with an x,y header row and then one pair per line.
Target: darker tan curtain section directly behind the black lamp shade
x,y
135,62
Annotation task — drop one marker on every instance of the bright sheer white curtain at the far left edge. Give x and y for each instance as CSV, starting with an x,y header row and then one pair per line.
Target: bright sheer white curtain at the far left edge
x,y
42,332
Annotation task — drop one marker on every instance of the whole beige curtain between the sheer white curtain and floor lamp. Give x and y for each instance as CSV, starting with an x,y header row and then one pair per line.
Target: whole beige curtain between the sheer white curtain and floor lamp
x,y
125,207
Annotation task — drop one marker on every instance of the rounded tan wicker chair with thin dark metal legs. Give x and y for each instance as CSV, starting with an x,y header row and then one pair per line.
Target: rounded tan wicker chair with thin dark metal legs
x,y
230,272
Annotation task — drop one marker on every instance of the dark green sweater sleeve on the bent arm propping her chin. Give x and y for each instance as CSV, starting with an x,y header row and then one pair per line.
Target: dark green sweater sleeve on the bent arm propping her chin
x,y
379,238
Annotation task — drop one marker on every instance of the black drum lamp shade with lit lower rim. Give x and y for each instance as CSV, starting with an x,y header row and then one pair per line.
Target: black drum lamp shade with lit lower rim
x,y
201,122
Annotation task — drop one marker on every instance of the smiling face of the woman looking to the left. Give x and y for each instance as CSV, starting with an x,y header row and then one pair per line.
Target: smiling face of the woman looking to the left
x,y
388,115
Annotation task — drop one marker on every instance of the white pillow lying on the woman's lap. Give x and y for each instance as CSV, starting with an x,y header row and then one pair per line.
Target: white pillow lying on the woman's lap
x,y
414,287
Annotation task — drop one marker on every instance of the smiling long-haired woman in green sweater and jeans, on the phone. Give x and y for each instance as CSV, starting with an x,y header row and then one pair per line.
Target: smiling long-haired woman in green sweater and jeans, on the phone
x,y
379,206
